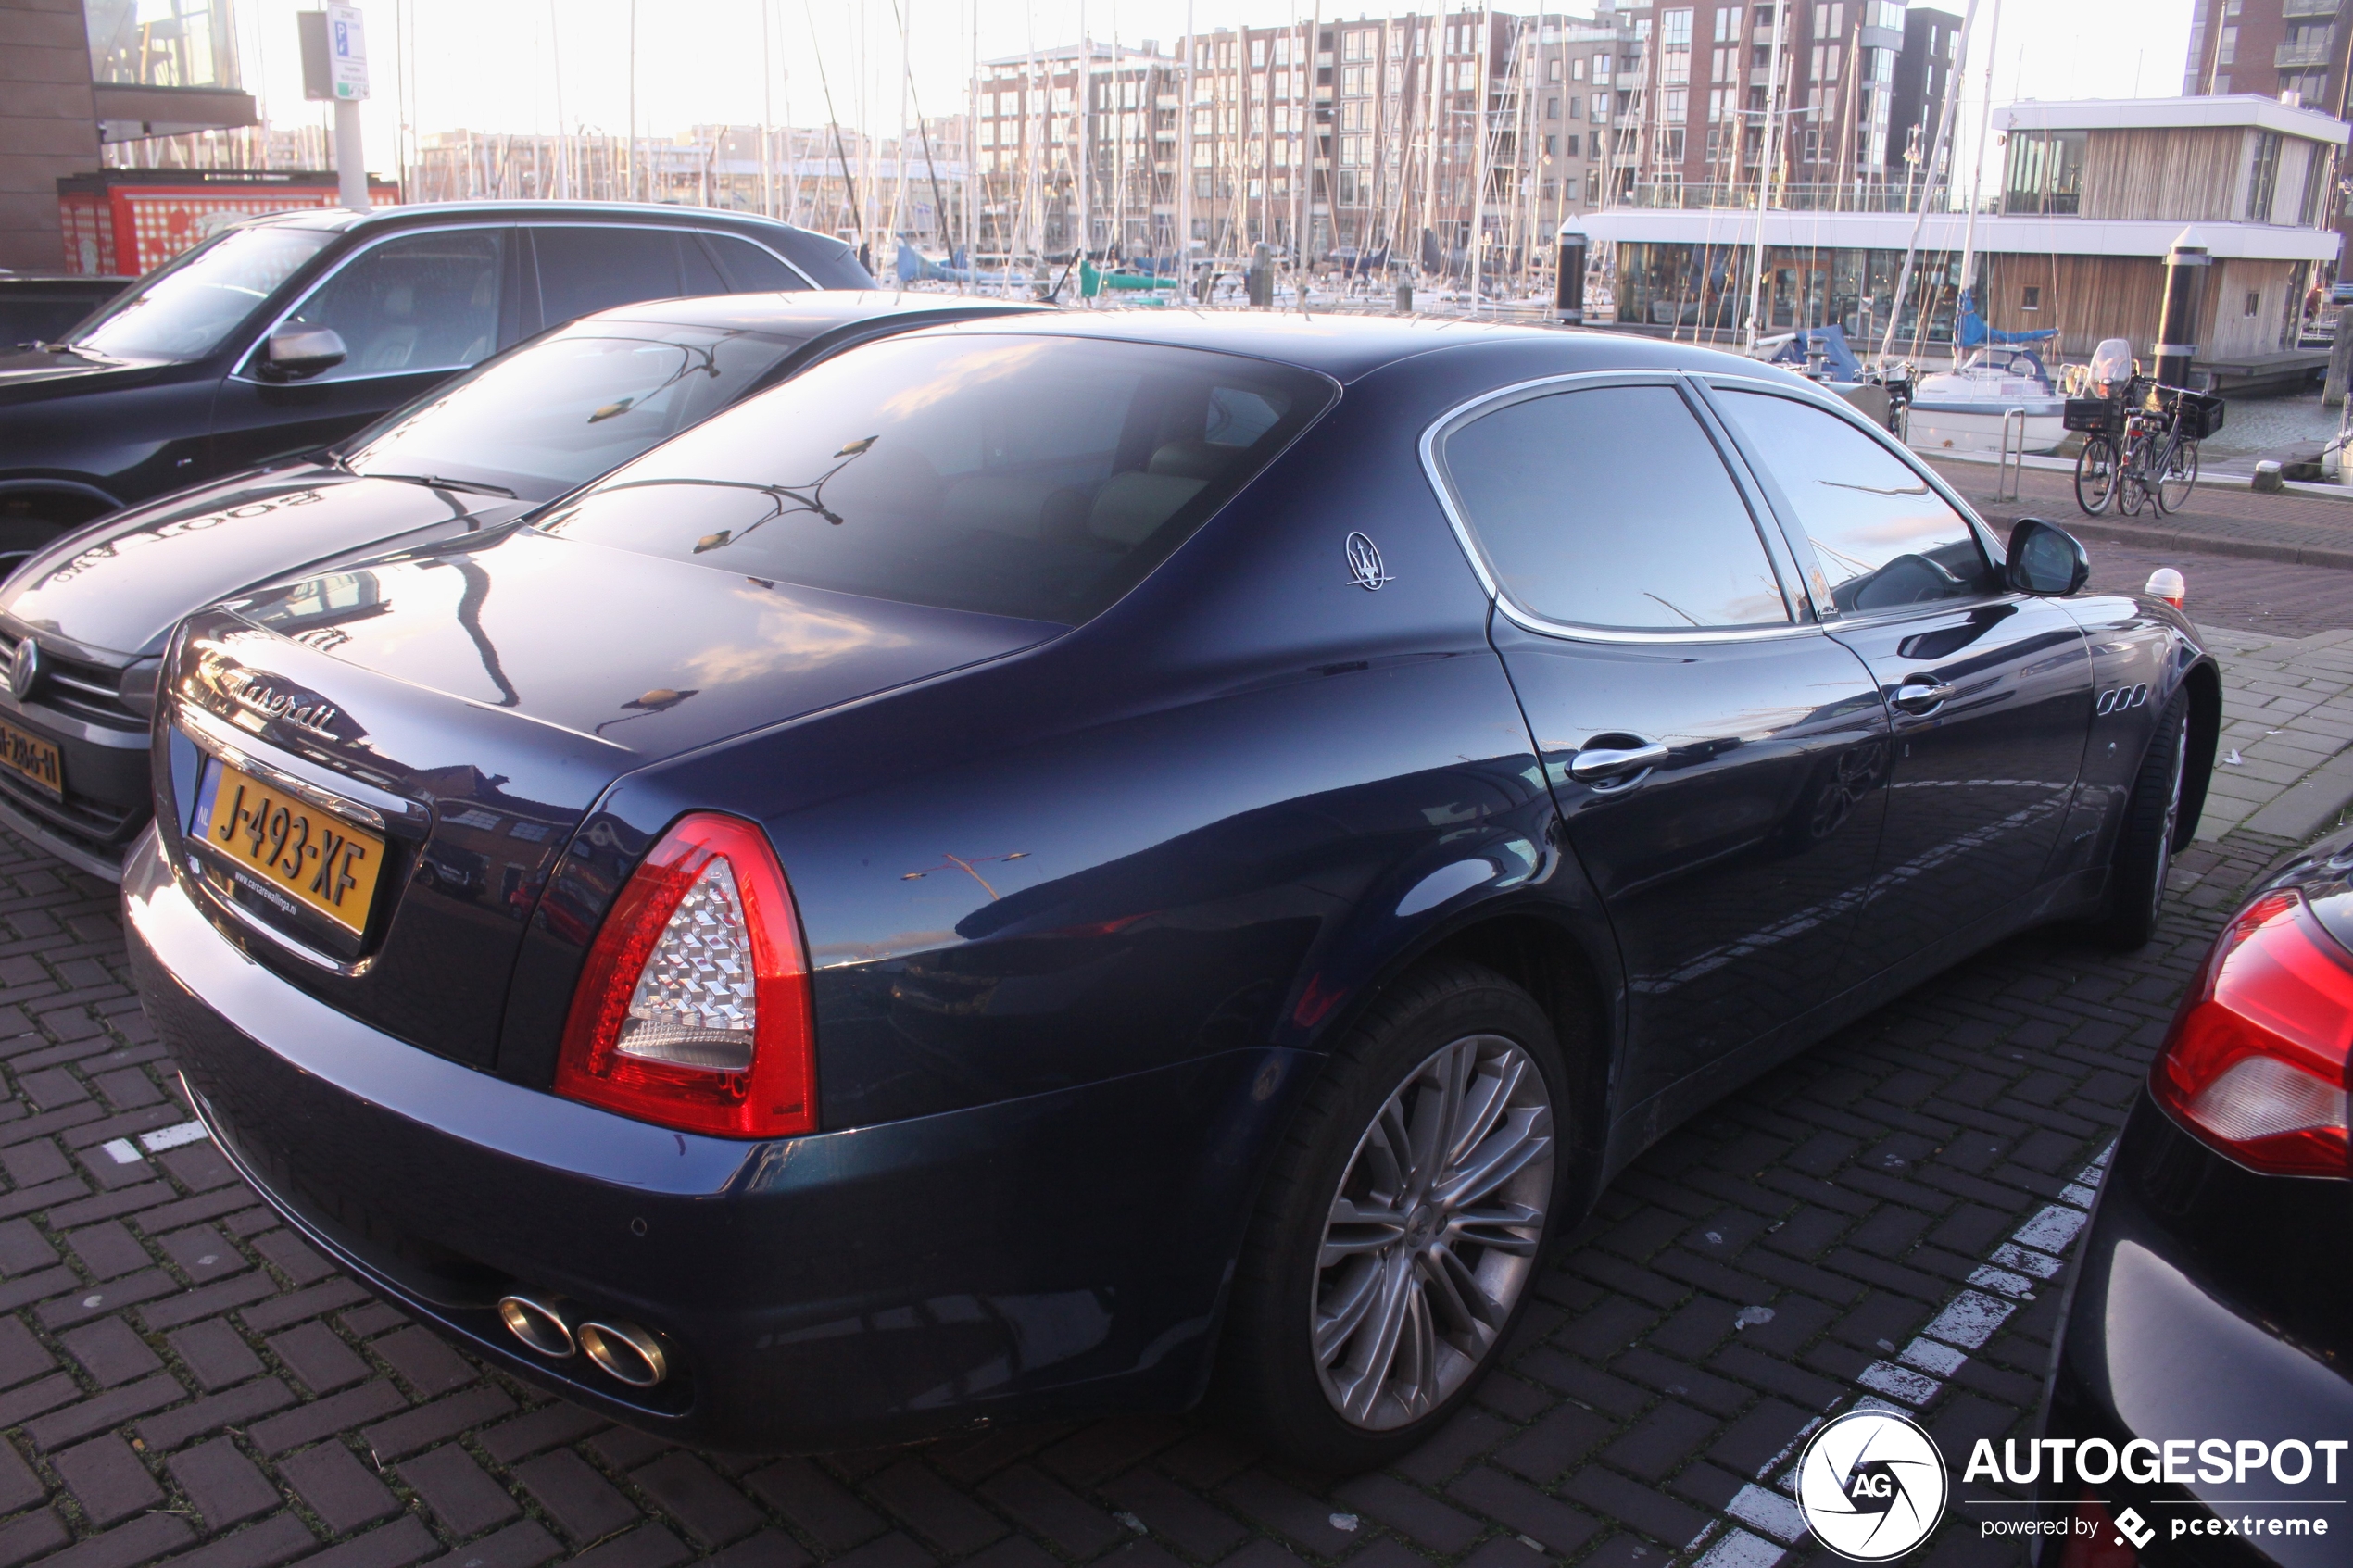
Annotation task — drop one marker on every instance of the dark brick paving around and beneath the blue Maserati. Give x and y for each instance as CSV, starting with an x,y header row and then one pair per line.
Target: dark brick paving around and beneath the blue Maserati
x,y
1881,1219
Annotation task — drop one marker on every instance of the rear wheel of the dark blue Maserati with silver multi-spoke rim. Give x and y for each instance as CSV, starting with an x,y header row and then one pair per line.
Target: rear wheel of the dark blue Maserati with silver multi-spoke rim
x,y
1291,1287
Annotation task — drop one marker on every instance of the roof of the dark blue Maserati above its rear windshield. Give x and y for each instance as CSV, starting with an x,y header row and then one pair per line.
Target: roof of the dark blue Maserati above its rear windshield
x,y
1352,347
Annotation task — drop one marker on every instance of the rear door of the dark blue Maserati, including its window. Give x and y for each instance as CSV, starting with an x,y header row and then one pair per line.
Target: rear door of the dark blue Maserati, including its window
x,y
1714,756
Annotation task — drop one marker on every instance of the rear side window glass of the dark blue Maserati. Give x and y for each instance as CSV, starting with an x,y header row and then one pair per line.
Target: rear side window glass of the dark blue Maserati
x,y
1613,509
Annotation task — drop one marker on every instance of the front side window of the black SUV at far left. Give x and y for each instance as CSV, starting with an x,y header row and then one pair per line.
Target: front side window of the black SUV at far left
x,y
413,304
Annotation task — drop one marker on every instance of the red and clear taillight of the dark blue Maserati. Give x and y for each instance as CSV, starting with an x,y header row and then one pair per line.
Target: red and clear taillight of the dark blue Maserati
x,y
695,1005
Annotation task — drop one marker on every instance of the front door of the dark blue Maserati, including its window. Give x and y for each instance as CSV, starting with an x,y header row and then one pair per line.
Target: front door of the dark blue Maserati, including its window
x,y
1989,692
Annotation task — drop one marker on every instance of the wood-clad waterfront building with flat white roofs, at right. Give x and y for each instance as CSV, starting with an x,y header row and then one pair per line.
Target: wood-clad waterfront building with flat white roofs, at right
x,y
2093,199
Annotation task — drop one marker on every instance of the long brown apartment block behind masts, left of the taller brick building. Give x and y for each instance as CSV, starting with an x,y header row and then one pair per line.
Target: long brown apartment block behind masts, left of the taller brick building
x,y
1342,140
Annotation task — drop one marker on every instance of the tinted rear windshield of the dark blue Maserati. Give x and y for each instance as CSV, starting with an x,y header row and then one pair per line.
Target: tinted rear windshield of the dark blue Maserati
x,y
1015,476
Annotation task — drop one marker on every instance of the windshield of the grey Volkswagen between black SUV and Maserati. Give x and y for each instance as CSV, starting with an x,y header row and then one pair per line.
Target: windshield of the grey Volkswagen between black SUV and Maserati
x,y
564,410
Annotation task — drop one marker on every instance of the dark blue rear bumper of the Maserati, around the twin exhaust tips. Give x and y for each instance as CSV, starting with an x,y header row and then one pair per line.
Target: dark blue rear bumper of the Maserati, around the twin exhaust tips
x,y
1051,1257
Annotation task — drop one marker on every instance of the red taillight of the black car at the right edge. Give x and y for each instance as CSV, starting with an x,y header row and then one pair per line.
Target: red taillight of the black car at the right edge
x,y
2258,1057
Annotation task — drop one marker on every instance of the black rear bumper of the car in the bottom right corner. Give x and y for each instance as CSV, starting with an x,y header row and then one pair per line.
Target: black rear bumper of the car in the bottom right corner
x,y
2173,1341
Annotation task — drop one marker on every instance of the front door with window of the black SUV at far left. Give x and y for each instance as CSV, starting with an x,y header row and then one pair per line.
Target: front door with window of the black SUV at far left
x,y
413,311
